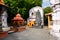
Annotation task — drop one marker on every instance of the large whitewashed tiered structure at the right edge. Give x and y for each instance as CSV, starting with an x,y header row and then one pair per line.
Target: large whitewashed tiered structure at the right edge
x,y
55,4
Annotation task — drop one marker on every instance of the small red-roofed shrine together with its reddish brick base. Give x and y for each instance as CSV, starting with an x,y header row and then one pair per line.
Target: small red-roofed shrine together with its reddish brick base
x,y
17,22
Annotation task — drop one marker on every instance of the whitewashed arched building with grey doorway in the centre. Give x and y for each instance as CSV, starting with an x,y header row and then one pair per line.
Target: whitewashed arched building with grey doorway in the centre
x,y
36,14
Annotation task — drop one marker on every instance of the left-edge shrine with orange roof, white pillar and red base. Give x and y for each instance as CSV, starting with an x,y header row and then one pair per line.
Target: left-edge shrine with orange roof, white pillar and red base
x,y
3,19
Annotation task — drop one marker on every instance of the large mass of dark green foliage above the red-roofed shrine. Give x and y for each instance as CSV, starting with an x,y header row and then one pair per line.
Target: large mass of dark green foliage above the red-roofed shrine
x,y
21,6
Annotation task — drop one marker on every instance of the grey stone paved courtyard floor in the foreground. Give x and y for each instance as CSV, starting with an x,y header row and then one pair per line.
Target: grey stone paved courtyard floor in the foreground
x,y
31,34
